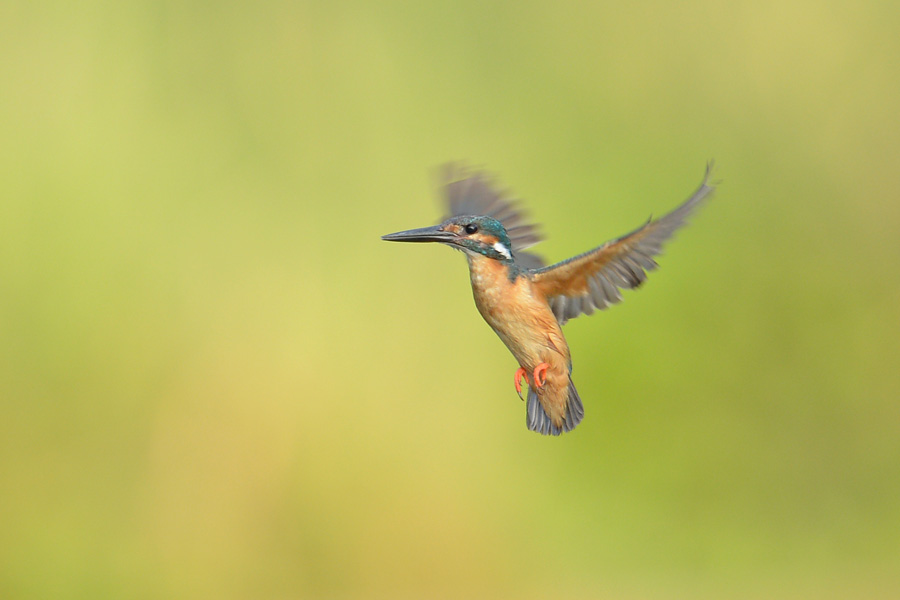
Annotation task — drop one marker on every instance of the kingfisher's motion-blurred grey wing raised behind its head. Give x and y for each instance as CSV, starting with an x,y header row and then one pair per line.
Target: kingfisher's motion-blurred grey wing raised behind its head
x,y
472,192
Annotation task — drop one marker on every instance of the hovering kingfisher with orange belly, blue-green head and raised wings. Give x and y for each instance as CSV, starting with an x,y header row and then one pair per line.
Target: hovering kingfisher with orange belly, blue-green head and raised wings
x,y
525,302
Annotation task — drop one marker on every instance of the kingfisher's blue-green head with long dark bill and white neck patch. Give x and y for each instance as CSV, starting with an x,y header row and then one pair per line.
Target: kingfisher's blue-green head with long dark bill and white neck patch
x,y
476,235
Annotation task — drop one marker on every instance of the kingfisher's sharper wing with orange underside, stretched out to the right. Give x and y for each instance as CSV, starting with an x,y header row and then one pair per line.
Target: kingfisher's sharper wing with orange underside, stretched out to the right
x,y
592,280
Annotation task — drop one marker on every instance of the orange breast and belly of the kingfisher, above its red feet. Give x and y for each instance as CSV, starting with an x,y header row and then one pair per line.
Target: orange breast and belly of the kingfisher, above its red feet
x,y
523,320
